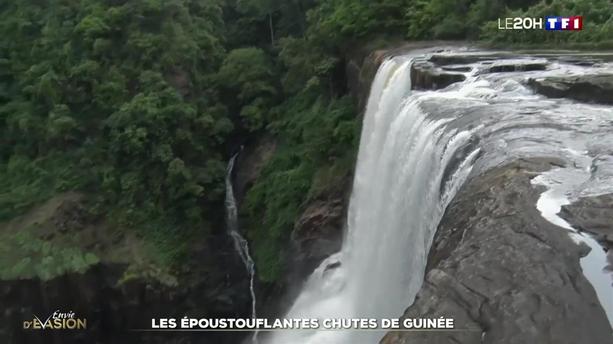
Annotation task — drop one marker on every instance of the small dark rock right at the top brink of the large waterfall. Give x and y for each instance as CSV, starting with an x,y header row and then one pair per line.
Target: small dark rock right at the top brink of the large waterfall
x,y
426,76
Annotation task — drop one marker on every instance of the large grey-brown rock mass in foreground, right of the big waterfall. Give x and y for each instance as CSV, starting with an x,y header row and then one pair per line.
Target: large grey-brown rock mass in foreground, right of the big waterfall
x,y
500,270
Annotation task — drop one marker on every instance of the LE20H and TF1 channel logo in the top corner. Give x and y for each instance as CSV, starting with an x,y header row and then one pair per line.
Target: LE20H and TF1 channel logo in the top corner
x,y
552,23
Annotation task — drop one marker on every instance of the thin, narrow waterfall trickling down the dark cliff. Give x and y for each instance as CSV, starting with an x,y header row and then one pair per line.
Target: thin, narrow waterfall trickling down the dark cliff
x,y
240,244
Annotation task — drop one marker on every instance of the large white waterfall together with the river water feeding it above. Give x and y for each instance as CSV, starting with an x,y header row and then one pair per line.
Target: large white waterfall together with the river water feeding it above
x,y
417,149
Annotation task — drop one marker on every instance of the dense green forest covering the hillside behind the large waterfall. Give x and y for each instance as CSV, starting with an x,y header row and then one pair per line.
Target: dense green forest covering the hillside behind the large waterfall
x,y
140,103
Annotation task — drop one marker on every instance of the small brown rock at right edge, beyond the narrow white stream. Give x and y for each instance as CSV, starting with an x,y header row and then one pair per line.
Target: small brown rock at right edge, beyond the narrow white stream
x,y
593,215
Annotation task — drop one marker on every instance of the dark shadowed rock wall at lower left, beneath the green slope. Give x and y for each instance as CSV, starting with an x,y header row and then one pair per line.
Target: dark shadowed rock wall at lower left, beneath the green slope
x,y
113,309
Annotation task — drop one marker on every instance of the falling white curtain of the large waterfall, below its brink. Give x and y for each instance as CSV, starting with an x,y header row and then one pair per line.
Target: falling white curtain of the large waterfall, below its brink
x,y
407,172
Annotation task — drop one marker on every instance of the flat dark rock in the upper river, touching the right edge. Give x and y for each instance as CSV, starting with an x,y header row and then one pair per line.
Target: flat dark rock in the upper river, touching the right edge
x,y
586,88
